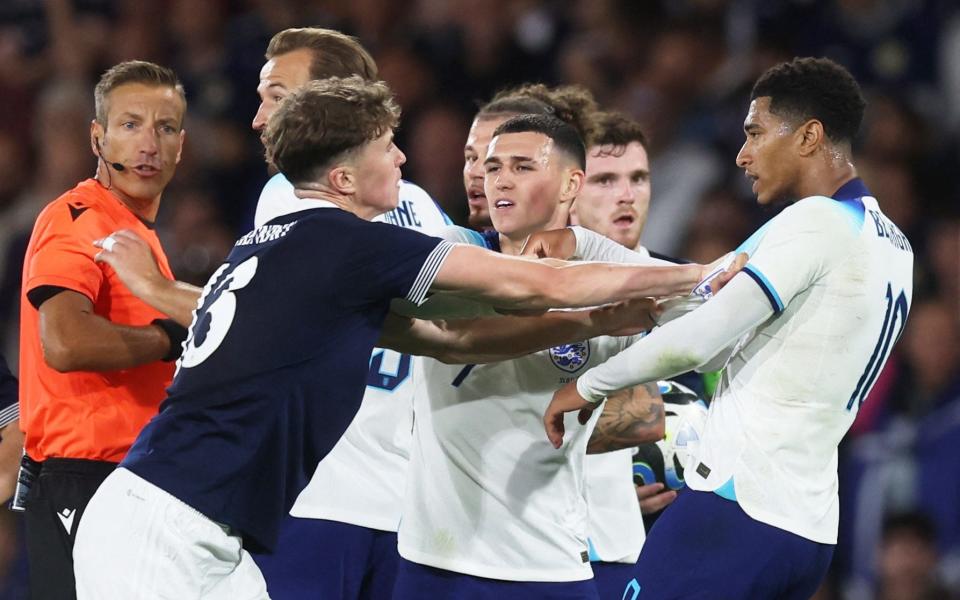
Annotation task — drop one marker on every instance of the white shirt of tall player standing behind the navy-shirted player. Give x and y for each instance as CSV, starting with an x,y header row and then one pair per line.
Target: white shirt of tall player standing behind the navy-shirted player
x,y
362,480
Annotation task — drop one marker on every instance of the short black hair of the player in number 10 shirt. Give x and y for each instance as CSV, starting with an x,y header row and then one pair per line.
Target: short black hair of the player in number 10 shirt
x,y
814,88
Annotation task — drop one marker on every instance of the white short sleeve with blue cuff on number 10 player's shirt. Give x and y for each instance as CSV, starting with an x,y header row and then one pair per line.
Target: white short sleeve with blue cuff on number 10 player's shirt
x,y
799,245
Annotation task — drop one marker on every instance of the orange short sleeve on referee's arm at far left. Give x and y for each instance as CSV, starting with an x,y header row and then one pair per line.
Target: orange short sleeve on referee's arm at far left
x,y
63,254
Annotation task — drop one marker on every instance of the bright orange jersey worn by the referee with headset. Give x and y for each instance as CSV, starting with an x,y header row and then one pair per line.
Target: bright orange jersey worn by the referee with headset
x,y
85,414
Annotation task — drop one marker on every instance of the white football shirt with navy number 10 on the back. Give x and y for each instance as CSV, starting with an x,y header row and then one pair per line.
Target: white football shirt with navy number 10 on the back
x,y
838,275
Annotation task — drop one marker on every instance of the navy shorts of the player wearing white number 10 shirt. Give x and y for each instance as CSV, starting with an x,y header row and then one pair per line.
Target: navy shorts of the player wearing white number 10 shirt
x,y
705,547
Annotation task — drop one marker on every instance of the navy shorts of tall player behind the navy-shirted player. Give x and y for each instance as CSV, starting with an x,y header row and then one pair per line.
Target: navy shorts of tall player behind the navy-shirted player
x,y
318,559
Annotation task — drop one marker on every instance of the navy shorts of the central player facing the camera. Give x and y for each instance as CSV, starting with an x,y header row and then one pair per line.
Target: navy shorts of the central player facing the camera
x,y
416,582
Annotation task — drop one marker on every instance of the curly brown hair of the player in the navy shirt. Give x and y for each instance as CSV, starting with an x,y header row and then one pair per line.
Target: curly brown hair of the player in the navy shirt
x,y
323,121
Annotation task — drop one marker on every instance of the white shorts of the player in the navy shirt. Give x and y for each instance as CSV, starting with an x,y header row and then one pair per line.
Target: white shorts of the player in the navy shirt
x,y
137,541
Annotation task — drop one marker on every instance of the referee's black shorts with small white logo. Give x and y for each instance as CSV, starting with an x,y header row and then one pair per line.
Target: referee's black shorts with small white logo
x,y
54,507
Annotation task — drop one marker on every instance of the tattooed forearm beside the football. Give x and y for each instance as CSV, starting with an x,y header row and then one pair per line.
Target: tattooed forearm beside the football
x,y
629,418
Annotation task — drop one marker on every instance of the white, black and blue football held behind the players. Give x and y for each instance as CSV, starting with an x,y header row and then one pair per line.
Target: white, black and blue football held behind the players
x,y
663,461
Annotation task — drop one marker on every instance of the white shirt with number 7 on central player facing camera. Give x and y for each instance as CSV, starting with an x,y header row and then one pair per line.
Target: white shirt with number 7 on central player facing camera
x,y
487,494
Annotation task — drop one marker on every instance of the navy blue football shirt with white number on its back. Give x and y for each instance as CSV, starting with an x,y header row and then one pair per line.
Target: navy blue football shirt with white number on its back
x,y
276,363
